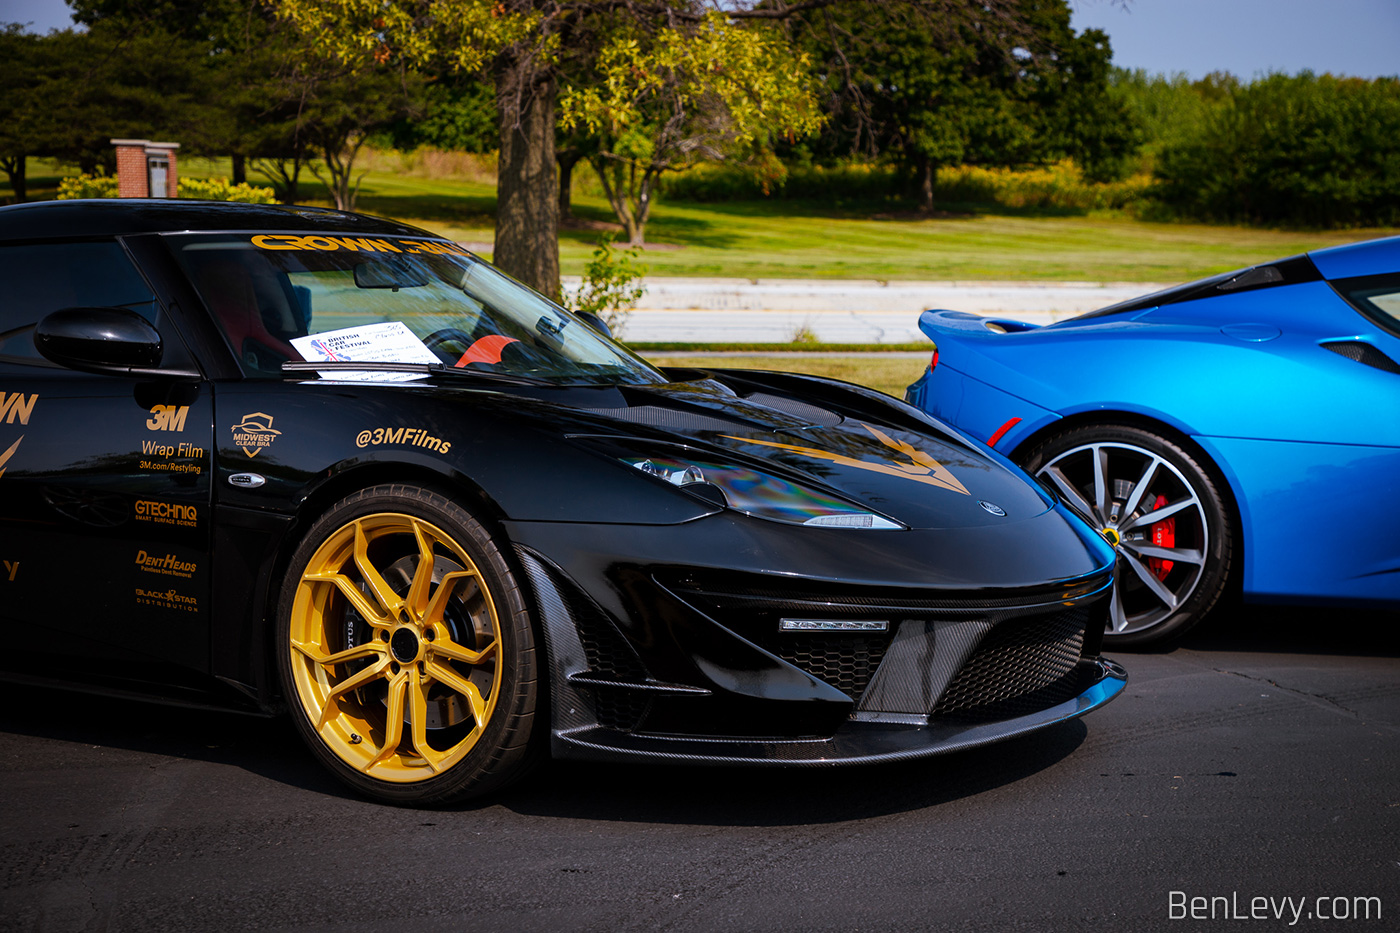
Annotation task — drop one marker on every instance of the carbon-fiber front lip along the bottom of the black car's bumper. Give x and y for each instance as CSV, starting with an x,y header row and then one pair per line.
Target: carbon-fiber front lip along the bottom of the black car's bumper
x,y
853,745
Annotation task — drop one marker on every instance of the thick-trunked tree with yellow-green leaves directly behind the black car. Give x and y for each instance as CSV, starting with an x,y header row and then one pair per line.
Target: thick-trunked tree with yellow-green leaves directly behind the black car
x,y
527,48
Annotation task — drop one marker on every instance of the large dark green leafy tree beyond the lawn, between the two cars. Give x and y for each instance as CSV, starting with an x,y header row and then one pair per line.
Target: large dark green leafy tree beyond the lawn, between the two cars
x,y
988,85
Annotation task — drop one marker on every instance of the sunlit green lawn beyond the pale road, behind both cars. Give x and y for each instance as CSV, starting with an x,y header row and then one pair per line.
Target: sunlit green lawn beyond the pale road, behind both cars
x,y
803,240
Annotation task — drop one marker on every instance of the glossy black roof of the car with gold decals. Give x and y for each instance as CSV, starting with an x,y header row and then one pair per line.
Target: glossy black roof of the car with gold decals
x,y
115,218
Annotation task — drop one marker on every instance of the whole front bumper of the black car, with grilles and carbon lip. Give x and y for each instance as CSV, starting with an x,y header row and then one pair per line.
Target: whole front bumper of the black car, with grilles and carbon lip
x,y
659,651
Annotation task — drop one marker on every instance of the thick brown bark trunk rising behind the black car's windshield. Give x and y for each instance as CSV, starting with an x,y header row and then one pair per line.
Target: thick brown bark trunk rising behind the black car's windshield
x,y
527,194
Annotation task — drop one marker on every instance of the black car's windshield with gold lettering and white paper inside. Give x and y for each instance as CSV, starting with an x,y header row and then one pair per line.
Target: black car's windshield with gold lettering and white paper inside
x,y
281,298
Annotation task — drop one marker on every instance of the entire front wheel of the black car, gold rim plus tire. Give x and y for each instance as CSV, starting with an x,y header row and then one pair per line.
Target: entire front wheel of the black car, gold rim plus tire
x,y
450,648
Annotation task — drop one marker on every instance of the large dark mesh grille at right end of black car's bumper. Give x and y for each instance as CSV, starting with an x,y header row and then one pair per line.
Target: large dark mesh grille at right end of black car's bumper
x,y
1020,668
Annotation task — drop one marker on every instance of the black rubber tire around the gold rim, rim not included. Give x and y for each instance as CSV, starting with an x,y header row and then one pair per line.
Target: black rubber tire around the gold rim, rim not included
x,y
502,750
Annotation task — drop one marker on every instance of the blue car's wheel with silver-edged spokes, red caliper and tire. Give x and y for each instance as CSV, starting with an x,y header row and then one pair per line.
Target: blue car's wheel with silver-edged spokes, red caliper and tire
x,y
1157,599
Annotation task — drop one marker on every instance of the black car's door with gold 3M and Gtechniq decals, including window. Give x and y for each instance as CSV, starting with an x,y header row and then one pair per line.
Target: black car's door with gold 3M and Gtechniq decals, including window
x,y
104,485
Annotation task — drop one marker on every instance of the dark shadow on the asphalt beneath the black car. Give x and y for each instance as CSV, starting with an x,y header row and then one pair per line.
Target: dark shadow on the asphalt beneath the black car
x,y
632,794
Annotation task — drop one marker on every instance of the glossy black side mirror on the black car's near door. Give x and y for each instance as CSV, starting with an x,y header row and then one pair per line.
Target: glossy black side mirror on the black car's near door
x,y
99,340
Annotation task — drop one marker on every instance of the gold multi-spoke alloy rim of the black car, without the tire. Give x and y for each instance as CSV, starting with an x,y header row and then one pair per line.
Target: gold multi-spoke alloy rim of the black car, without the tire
x,y
395,648
